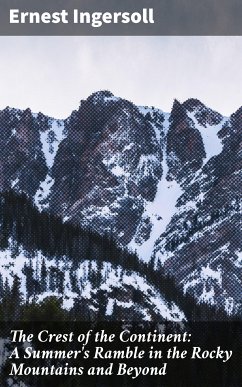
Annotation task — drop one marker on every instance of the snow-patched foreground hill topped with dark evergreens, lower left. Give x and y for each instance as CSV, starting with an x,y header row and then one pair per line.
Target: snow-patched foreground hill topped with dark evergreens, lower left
x,y
89,275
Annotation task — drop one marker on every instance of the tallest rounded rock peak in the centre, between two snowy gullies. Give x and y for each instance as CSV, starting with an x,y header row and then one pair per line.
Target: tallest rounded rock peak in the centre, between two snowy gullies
x,y
107,167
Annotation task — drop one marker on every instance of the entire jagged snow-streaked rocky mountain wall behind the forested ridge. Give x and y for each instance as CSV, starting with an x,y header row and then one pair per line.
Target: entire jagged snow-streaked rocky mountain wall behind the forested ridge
x,y
165,185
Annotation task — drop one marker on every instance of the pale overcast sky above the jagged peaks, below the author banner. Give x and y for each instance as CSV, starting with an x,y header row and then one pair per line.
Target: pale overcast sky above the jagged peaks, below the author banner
x,y
52,74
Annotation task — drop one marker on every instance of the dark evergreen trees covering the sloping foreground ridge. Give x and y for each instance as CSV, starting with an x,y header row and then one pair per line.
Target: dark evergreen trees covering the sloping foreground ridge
x,y
21,220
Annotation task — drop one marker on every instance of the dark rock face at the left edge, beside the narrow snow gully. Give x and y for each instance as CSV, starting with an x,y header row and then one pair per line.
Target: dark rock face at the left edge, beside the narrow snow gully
x,y
28,144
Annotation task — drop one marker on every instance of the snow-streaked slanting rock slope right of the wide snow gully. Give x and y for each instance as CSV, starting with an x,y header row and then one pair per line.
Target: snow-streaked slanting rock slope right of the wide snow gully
x,y
202,242
